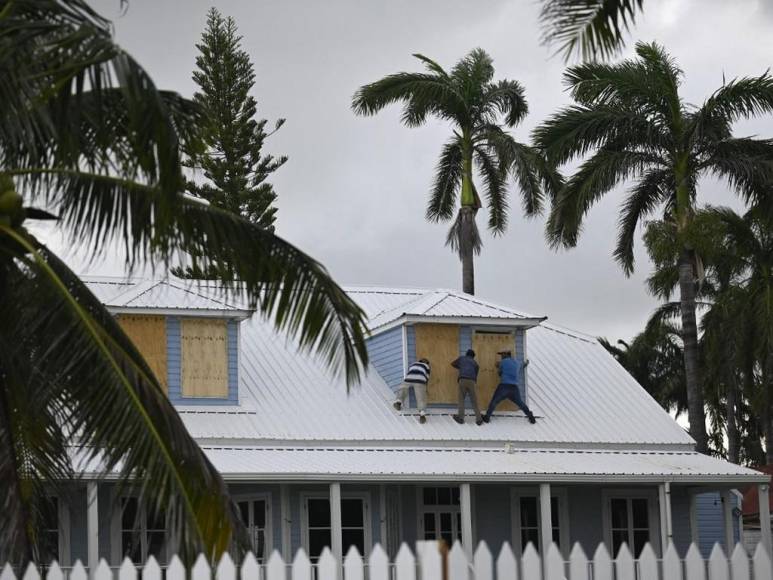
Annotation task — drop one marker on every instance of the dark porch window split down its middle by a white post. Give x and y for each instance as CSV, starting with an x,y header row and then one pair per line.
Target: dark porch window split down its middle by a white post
x,y
355,529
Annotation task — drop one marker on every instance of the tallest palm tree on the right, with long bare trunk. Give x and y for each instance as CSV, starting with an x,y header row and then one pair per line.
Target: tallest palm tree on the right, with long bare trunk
x,y
634,124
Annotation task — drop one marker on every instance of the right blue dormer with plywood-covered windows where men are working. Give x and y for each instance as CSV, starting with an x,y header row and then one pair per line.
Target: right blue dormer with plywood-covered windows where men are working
x,y
440,326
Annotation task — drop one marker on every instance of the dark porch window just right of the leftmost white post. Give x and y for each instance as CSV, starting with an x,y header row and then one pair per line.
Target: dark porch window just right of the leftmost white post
x,y
141,534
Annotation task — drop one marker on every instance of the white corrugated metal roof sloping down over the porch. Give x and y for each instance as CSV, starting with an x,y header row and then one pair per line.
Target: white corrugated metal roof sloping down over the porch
x,y
295,418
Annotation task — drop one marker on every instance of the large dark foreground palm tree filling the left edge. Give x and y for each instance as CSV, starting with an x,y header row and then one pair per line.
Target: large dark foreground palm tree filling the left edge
x,y
87,140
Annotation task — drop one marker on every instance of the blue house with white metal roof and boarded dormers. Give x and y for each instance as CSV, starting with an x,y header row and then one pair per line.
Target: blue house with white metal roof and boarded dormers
x,y
312,465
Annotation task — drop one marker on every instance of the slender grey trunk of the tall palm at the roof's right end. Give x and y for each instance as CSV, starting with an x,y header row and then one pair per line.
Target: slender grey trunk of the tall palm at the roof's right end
x,y
696,412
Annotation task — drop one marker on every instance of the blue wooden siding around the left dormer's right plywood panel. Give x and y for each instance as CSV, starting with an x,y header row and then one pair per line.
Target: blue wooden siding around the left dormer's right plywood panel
x,y
174,369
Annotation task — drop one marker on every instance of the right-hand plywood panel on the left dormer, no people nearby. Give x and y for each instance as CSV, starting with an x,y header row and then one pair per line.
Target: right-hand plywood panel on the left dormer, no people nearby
x,y
204,345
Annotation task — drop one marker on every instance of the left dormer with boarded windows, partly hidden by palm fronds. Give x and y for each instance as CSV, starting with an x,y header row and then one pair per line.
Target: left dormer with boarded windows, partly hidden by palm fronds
x,y
187,334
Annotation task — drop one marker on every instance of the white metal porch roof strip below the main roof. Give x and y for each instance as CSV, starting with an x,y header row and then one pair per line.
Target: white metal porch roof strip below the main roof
x,y
249,463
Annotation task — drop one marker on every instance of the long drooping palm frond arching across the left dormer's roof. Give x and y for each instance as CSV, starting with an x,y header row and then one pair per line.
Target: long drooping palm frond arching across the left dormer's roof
x,y
258,266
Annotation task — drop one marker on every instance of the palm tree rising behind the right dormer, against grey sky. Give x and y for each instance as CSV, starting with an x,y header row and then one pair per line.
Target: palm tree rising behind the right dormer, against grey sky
x,y
480,110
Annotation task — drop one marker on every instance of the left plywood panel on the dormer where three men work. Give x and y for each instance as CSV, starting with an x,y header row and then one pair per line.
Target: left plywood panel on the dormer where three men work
x,y
439,343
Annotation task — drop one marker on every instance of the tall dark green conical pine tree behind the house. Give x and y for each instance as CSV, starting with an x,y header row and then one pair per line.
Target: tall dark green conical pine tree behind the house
x,y
233,165
